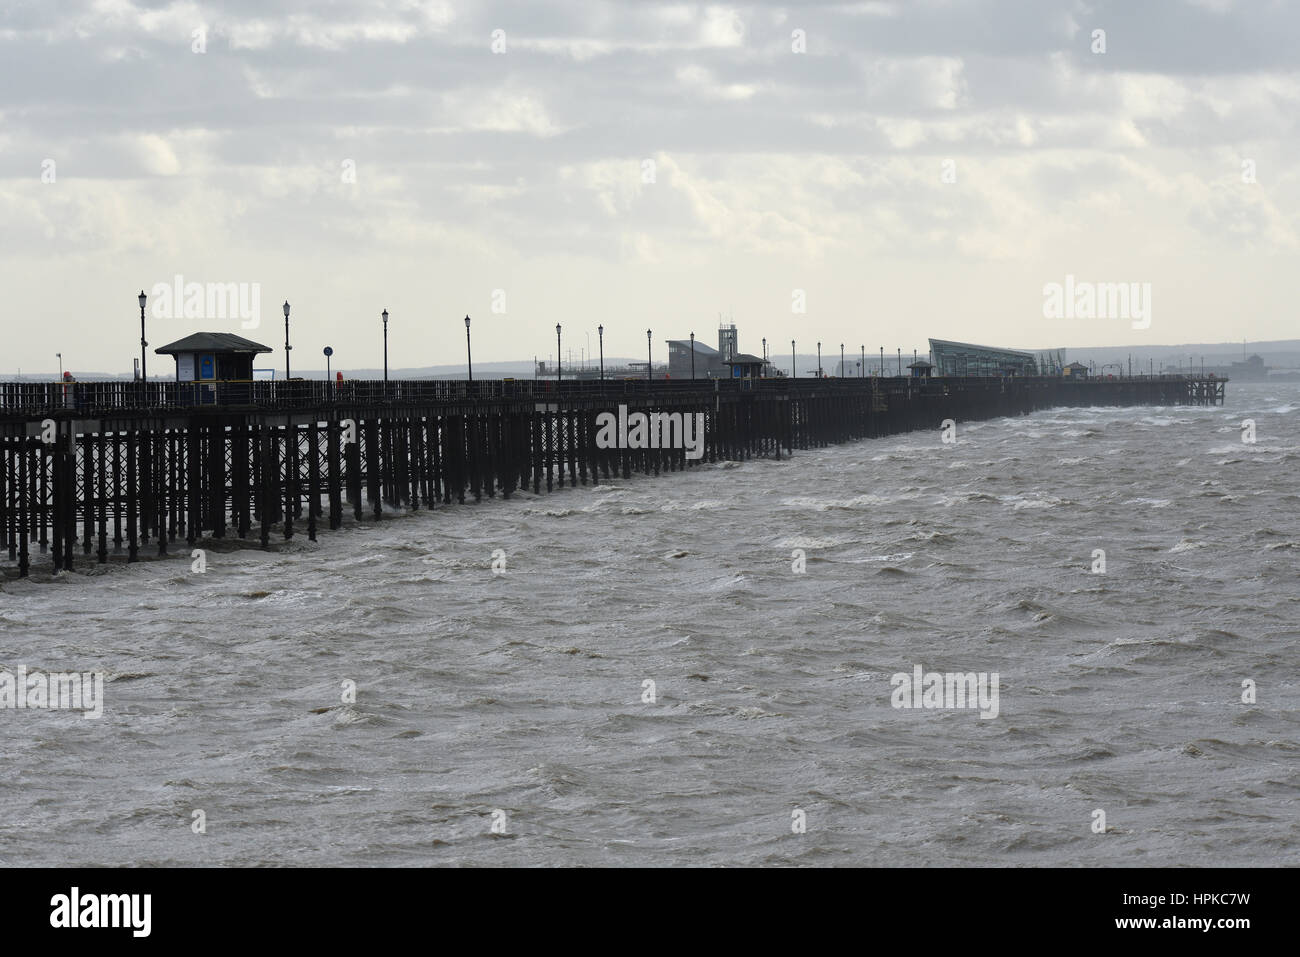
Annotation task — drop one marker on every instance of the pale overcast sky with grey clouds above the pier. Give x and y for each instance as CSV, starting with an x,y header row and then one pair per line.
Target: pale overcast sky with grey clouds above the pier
x,y
902,170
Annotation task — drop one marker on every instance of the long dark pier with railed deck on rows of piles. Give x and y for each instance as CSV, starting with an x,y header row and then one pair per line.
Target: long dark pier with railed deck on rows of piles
x,y
98,470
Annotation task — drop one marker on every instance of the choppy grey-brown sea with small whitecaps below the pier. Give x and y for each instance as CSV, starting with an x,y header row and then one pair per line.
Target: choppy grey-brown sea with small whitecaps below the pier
x,y
522,700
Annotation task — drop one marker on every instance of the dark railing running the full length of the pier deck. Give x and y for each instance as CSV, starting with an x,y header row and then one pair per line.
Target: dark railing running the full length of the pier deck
x,y
110,397
